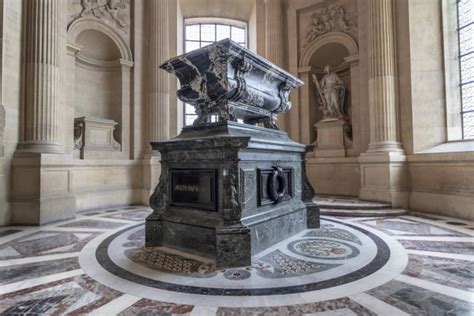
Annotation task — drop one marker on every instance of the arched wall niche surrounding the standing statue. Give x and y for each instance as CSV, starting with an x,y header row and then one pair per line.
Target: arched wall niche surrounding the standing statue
x,y
341,52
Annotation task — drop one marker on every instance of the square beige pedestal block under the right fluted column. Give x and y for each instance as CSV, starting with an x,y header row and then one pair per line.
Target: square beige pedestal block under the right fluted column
x,y
384,178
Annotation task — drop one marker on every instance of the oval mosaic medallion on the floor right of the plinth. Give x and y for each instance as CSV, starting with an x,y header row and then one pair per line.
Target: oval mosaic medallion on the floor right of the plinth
x,y
323,249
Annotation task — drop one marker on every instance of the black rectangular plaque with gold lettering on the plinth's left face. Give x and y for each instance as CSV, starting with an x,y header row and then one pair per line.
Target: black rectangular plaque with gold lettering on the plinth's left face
x,y
194,188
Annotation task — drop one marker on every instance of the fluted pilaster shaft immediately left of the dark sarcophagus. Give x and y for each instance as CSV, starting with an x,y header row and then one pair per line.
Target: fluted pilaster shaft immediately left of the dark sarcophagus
x,y
158,94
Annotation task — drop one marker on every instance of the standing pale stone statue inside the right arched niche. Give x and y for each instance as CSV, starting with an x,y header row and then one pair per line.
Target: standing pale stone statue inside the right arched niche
x,y
331,93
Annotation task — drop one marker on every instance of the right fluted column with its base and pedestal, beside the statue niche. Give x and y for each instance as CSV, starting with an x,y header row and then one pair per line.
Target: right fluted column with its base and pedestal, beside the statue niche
x,y
383,166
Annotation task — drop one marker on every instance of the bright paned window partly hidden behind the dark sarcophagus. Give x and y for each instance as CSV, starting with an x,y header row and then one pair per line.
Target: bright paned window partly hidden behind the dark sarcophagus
x,y
200,32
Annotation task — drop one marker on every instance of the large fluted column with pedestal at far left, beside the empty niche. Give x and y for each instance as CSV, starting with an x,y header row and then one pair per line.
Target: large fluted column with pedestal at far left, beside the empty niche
x,y
41,186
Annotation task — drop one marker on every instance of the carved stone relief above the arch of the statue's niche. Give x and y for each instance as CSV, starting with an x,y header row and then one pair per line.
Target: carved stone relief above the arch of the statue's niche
x,y
333,18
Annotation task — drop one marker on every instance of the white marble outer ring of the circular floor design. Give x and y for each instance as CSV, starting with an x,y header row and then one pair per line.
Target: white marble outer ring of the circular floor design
x,y
396,263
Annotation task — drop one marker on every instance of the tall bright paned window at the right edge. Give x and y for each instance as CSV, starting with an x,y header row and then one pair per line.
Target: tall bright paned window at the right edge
x,y
465,30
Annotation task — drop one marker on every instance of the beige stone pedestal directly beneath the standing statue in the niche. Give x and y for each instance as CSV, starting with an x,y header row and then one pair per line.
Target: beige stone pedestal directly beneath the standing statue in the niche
x,y
330,138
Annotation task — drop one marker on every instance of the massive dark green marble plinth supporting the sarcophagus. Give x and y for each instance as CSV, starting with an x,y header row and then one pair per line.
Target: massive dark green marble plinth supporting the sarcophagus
x,y
228,191
